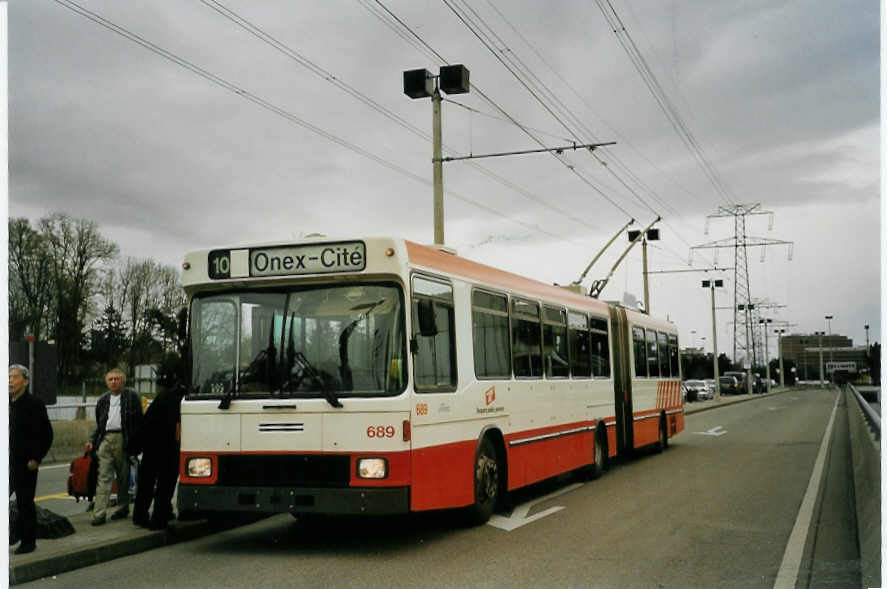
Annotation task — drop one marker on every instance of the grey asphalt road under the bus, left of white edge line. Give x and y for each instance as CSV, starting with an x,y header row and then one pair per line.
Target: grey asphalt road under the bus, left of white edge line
x,y
715,510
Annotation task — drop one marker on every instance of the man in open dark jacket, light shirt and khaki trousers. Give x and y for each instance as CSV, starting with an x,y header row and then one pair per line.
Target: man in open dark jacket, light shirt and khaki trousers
x,y
118,416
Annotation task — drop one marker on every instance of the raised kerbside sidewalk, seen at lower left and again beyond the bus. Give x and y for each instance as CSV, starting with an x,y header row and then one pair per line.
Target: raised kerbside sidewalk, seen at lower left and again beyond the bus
x,y
91,545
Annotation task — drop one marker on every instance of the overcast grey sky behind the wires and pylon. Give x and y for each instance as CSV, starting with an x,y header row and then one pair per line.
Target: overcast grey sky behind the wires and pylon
x,y
289,118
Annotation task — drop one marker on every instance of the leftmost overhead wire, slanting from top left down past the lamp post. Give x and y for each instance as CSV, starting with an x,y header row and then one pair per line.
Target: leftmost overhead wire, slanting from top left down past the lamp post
x,y
218,81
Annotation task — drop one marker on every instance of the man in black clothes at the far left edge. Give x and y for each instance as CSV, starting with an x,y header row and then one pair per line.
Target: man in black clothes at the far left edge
x,y
30,436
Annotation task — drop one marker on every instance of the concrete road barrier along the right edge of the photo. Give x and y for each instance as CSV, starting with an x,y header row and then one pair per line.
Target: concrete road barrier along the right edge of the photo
x,y
865,431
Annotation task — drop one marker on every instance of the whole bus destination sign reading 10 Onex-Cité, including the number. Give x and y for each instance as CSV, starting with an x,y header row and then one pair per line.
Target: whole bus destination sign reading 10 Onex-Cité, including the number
x,y
288,260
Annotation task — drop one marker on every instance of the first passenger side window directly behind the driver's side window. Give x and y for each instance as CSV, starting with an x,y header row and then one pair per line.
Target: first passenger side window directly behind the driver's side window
x,y
492,347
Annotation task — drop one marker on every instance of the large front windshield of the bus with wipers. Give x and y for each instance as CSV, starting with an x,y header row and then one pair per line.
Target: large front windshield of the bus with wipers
x,y
299,342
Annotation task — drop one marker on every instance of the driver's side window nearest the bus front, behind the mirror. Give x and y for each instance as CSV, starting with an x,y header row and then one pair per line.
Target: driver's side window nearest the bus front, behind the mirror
x,y
435,355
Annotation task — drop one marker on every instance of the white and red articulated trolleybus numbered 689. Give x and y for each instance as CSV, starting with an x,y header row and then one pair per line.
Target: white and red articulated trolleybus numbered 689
x,y
380,376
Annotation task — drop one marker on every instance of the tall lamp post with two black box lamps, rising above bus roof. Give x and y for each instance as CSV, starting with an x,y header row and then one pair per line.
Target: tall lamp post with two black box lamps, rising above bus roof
x,y
421,83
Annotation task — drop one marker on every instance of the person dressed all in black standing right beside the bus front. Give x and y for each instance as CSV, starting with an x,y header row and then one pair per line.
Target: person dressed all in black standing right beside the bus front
x,y
159,442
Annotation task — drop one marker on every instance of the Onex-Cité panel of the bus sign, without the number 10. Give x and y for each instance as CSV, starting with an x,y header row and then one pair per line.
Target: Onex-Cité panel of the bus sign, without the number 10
x,y
307,259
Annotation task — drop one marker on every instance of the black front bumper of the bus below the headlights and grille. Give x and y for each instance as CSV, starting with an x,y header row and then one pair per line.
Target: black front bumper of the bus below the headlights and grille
x,y
195,499
